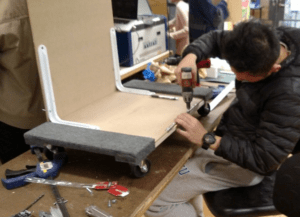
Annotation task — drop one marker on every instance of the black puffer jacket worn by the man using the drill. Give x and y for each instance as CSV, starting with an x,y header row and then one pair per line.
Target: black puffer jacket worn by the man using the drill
x,y
262,126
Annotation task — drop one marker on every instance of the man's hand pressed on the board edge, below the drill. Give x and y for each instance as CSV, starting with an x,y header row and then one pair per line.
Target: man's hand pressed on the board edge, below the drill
x,y
193,130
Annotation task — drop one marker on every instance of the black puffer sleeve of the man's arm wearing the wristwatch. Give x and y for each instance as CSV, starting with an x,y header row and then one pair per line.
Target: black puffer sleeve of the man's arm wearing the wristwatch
x,y
275,137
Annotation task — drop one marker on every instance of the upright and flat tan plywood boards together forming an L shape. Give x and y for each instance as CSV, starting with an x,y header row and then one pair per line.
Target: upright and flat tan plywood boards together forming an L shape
x,y
76,34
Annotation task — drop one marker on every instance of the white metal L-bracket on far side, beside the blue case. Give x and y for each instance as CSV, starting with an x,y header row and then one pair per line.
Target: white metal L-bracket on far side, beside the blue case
x,y
116,64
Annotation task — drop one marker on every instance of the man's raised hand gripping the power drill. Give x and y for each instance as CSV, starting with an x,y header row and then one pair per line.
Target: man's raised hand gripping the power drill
x,y
188,61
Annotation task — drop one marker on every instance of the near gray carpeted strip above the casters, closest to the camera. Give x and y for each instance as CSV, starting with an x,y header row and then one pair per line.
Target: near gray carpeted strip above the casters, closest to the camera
x,y
125,148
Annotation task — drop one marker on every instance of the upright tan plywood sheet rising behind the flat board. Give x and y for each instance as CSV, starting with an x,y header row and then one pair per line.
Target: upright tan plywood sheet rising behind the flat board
x,y
76,34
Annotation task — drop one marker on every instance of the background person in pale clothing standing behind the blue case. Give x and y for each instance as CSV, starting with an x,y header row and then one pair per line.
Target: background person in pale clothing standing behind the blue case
x,y
180,25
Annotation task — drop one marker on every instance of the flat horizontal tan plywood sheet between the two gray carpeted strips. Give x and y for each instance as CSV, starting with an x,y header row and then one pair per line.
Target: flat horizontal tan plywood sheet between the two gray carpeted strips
x,y
132,114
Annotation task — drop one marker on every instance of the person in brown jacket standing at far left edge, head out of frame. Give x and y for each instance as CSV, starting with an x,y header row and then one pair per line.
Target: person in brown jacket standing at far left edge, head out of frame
x,y
20,93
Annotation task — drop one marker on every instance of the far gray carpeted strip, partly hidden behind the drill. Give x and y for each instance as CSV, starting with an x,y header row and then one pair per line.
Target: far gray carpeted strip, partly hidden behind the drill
x,y
200,92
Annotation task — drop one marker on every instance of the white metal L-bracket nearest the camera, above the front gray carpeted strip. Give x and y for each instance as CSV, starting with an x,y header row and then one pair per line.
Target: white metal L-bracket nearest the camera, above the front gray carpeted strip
x,y
49,93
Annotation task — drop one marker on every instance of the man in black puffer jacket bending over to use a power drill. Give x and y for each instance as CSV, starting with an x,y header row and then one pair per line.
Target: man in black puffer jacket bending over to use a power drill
x,y
261,127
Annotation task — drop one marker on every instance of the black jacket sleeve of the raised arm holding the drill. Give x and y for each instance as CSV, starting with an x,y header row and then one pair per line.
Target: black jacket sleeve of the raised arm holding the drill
x,y
207,45
